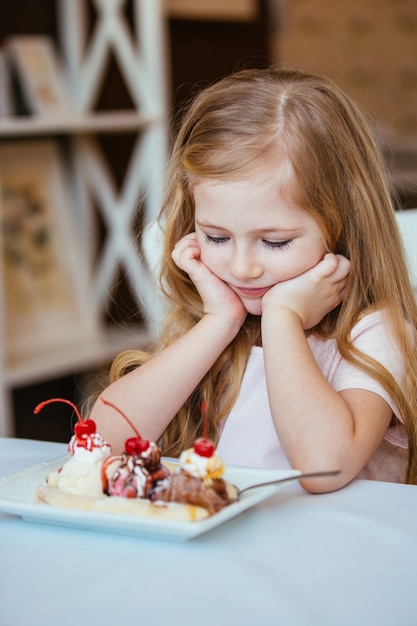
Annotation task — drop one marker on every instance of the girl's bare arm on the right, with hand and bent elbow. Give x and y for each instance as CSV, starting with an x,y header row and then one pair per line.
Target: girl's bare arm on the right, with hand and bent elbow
x,y
319,428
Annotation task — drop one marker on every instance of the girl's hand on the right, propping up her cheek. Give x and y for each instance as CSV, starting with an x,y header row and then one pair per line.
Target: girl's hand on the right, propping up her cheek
x,y
314,293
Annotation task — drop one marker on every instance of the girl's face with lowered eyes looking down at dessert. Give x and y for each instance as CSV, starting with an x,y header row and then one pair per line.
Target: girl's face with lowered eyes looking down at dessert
x,y
252,235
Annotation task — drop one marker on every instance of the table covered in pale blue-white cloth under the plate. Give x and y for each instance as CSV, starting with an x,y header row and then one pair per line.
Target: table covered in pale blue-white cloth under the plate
x,y
346,558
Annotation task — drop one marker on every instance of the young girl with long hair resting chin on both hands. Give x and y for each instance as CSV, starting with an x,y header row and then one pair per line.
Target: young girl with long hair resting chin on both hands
x,y
293,321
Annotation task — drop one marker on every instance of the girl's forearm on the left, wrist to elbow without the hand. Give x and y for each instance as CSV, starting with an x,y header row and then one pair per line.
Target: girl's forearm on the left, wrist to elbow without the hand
x,y
153,393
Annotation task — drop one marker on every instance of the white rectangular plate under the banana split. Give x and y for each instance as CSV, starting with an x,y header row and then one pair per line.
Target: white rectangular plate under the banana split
x,y
17,498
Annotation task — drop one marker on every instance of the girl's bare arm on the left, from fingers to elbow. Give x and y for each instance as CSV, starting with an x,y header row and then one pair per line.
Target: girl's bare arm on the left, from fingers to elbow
x,y
152,394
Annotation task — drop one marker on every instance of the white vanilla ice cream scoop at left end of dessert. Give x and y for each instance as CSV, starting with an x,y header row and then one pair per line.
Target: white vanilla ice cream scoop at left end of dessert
x,y
81,474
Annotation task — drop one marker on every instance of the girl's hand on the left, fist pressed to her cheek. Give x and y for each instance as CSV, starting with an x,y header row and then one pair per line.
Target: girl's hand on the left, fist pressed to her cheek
x,y
217,297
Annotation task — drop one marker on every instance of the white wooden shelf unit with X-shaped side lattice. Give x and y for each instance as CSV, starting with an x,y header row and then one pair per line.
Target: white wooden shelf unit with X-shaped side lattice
x,y
139,50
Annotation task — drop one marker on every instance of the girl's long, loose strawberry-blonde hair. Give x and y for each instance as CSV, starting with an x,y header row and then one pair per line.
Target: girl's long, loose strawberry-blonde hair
x,y
238,125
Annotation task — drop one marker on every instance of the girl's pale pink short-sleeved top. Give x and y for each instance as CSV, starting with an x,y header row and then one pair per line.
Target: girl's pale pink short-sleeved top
x,y
248,437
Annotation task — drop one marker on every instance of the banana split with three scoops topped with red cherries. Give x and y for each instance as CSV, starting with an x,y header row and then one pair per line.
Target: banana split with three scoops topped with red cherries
x,y
136,482
